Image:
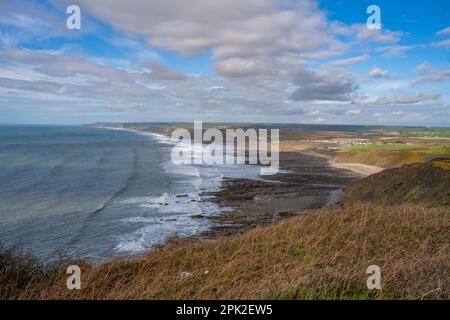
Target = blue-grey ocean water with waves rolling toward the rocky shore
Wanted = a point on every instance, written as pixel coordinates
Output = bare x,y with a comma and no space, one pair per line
97,193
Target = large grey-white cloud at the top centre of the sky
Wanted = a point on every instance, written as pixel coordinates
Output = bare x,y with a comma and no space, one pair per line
229,28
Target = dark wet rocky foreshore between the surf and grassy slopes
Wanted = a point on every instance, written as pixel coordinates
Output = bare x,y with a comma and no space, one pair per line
310,183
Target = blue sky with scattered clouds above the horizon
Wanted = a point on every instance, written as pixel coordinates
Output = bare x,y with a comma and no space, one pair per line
279,61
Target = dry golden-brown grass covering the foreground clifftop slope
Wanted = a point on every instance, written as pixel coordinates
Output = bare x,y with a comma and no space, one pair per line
323,255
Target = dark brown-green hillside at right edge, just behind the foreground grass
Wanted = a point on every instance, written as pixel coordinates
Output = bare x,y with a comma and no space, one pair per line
421,183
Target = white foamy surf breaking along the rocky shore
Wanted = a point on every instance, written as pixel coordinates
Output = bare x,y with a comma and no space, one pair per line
171,212
